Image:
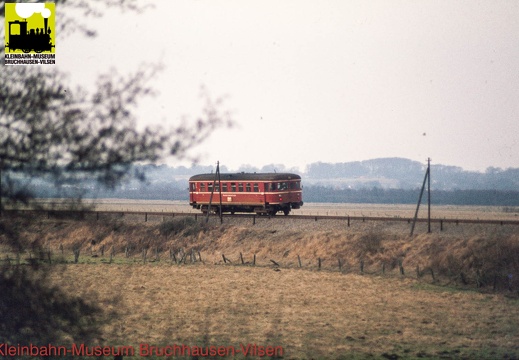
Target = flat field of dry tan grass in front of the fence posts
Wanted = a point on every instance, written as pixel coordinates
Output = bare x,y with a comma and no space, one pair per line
310,314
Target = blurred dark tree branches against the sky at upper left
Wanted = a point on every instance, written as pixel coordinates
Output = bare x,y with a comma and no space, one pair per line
49,130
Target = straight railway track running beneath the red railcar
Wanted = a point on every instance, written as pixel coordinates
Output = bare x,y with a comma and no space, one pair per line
150,214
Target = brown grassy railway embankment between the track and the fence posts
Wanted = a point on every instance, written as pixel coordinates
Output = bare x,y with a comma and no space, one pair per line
473,255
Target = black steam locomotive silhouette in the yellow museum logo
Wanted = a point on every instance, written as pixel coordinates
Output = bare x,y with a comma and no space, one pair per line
37,40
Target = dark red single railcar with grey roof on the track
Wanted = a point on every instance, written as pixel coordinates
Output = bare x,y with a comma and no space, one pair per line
262,193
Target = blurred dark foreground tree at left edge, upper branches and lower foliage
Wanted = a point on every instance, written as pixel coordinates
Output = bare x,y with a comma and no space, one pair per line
67,135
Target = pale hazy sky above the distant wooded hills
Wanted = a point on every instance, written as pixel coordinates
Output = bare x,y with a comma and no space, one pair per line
330,81
